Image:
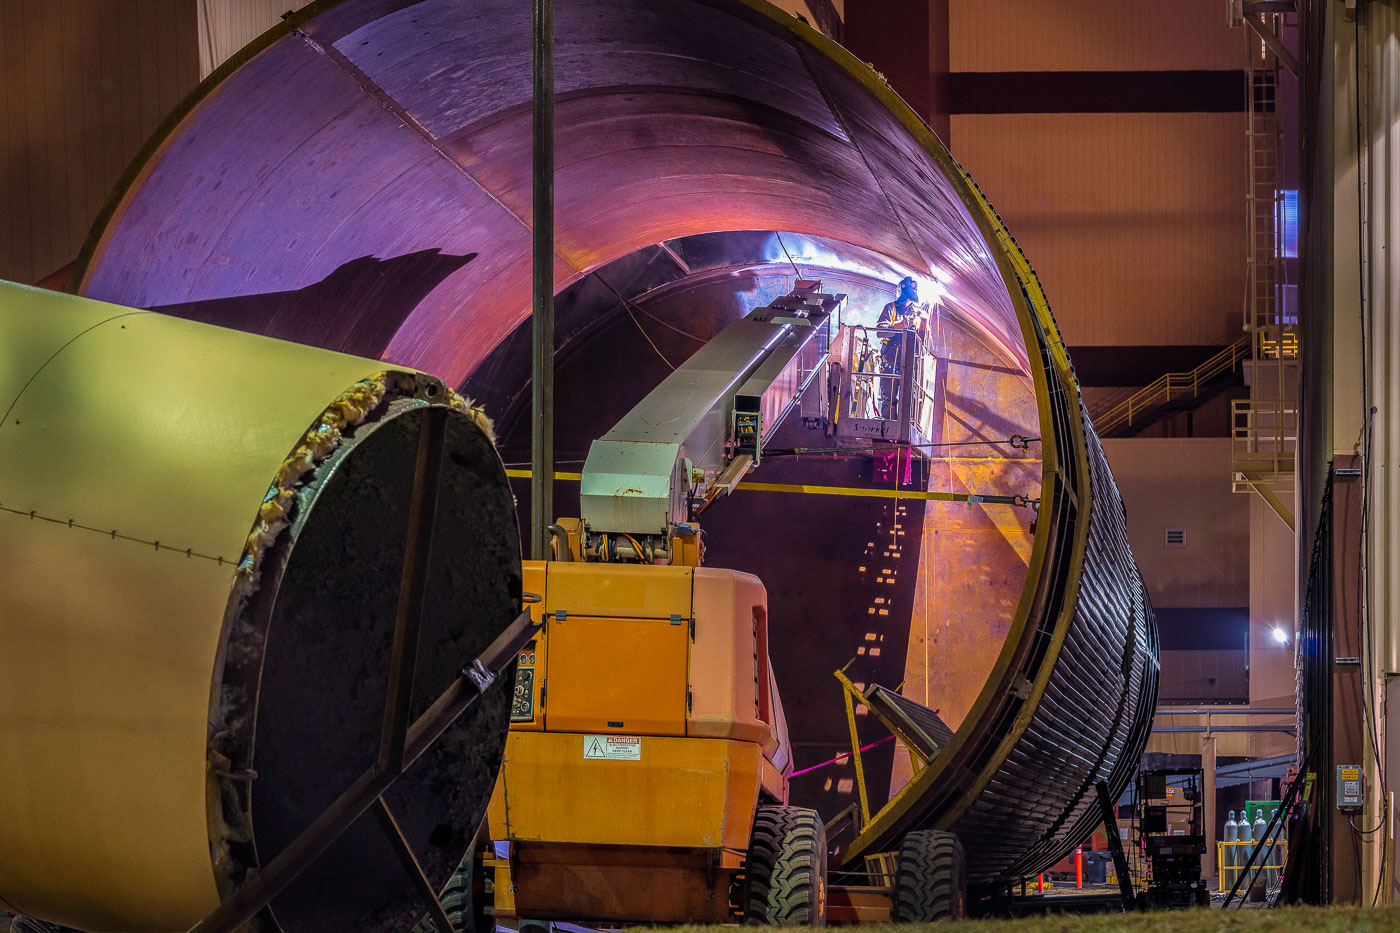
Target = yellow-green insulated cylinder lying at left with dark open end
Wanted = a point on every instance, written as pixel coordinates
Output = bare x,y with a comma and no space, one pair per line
204,534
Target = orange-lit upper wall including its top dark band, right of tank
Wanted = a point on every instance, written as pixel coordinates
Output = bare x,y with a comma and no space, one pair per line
1136,221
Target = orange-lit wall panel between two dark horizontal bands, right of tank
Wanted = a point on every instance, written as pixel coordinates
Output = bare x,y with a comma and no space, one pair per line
1136,222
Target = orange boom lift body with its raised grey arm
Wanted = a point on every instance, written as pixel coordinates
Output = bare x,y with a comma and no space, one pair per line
646,770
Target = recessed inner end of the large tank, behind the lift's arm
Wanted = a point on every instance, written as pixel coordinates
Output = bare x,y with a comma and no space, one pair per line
912,590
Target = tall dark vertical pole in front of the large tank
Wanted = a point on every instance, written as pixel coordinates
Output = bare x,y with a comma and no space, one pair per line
542,380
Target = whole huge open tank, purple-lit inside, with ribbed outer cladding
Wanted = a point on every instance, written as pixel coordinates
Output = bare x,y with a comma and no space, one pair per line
703,152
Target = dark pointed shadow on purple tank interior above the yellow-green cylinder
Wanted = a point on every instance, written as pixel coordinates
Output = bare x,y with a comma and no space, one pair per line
358,309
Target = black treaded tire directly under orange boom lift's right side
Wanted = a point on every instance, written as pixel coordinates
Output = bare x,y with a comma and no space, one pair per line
786,869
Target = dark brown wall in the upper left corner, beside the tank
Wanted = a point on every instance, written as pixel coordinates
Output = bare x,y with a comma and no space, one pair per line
83,83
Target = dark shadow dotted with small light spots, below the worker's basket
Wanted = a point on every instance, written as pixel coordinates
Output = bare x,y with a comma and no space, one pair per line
841,574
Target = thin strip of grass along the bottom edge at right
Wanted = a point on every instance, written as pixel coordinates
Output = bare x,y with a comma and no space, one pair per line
1340,920
